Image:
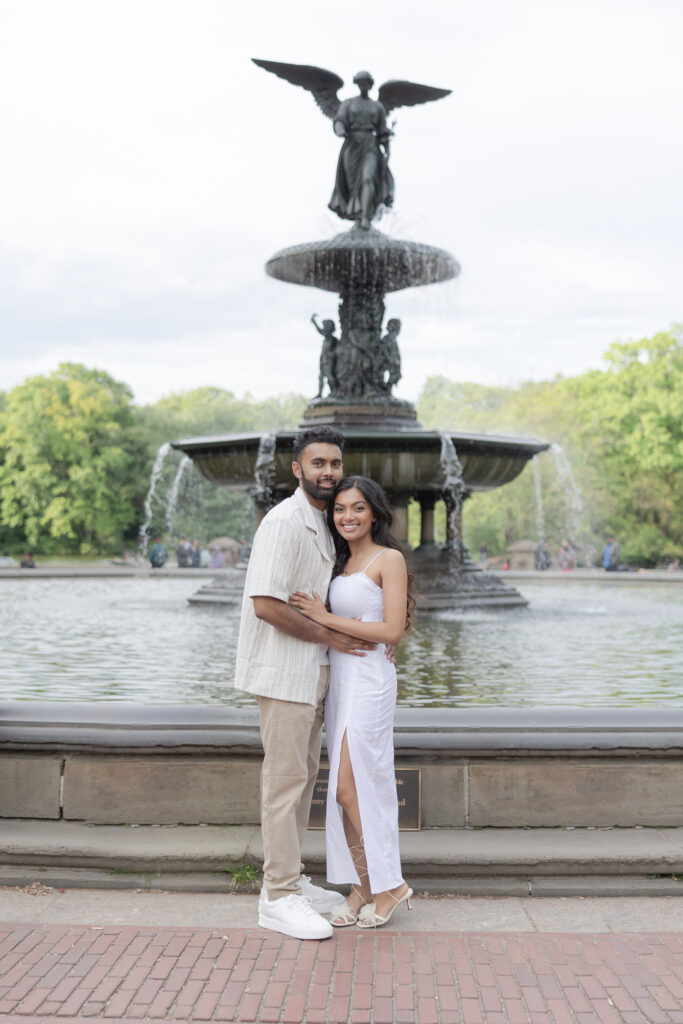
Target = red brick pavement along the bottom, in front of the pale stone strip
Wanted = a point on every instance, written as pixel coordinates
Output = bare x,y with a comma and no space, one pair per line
77,974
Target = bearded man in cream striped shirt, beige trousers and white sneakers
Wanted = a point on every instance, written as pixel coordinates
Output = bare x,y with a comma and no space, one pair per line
283,660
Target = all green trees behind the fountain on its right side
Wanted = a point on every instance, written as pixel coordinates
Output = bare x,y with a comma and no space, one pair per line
621,431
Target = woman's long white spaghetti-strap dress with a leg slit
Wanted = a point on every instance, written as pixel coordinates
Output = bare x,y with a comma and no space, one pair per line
361,702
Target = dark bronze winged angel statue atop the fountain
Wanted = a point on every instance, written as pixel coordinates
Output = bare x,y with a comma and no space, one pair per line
364,183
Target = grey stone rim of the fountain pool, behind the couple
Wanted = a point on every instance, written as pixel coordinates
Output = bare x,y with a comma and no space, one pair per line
33,726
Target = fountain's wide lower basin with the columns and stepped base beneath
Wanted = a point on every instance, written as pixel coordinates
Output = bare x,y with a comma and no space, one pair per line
408,465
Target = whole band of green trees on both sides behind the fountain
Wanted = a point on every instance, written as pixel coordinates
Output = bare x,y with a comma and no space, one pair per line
76,454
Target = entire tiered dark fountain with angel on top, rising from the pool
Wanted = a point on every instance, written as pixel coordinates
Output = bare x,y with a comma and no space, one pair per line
361,366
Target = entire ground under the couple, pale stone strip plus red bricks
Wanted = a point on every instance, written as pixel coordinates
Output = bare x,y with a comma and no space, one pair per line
84,955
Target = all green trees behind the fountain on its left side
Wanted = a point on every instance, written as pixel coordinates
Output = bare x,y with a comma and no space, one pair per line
76,457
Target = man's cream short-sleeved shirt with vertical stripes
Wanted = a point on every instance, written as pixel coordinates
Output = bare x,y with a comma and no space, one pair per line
292,550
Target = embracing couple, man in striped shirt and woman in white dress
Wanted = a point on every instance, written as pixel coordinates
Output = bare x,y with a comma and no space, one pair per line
326,601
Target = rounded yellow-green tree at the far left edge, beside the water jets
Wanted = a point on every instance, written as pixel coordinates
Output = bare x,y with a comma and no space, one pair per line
66,460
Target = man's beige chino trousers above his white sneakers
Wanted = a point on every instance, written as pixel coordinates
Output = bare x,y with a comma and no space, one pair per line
292,736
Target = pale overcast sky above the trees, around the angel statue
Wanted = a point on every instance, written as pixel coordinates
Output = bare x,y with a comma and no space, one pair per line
150,170
